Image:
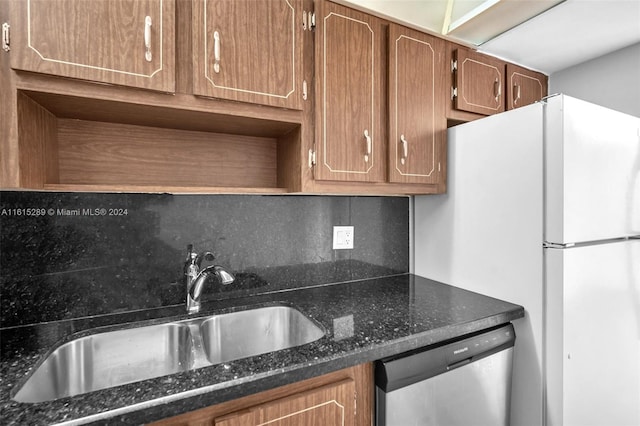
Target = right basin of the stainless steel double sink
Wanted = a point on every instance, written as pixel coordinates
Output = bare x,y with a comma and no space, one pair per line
257,331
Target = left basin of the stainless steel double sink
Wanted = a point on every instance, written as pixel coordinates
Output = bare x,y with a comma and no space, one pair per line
109,359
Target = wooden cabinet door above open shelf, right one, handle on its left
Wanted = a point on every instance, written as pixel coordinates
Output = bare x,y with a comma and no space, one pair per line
249,51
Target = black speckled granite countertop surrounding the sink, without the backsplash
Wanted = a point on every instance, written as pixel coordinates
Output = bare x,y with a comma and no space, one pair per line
380,317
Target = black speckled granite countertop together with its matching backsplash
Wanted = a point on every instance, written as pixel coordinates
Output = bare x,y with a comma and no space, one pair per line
74,264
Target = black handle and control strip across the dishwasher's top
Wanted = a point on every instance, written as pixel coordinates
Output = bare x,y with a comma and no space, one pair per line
406,369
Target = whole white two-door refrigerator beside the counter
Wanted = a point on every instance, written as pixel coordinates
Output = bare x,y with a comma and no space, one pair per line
543,210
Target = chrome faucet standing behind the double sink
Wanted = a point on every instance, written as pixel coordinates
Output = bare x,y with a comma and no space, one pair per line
196,277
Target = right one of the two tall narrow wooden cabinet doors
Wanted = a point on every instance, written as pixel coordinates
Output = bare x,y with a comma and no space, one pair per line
417,123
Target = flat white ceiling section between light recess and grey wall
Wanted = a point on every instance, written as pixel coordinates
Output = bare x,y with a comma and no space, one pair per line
570,33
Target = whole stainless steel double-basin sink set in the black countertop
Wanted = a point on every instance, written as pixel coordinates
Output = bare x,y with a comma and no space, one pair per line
114,358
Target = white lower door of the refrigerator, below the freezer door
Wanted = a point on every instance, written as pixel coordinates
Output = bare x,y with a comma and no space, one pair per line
593,335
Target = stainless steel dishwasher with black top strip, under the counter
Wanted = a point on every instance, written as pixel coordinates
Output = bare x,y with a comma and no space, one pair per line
466,382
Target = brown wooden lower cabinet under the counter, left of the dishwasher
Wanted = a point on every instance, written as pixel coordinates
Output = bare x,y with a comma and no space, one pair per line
342,398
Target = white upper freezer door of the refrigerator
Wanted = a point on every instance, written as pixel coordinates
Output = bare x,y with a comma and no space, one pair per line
592,172
